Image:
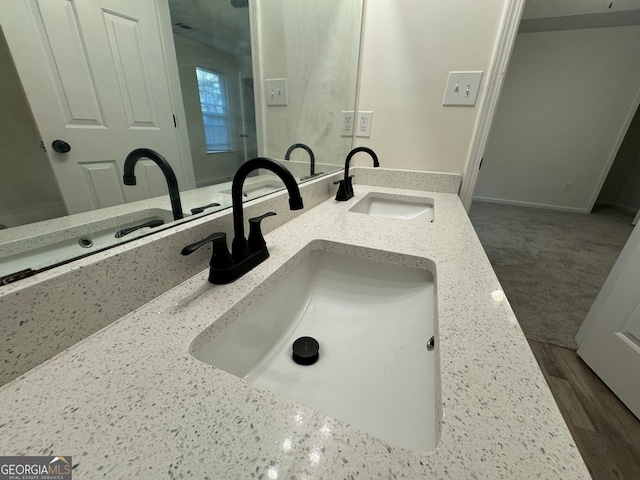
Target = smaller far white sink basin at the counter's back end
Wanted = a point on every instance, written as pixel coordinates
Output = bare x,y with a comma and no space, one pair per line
396,206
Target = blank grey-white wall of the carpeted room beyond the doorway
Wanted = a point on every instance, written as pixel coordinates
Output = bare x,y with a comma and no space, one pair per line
564,104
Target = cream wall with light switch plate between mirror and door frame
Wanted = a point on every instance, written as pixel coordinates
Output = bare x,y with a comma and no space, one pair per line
409,49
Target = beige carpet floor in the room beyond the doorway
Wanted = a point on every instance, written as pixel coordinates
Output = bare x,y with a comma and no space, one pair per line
550,264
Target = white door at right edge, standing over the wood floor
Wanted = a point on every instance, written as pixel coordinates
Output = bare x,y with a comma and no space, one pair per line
609,339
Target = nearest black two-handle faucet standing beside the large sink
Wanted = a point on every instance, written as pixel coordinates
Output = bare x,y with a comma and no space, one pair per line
246,254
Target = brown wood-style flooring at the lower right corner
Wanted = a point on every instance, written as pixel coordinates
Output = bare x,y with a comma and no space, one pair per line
605,431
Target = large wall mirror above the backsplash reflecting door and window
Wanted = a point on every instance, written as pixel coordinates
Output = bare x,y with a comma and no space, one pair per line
207,84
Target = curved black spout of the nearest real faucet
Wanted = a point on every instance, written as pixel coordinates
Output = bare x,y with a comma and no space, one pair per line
239,246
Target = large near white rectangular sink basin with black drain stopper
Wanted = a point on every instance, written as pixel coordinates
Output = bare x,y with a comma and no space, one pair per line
372,320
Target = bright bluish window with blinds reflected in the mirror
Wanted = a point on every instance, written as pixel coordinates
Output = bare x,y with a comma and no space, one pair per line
215,110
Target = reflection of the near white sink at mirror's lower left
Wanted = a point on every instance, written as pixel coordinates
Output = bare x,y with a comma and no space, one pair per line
56,247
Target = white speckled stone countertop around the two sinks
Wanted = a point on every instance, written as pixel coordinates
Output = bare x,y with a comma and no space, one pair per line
131,402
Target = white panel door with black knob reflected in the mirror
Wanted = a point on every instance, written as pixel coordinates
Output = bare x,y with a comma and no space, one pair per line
96,76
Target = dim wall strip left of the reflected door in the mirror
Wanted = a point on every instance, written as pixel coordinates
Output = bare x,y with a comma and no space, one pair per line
28,190
